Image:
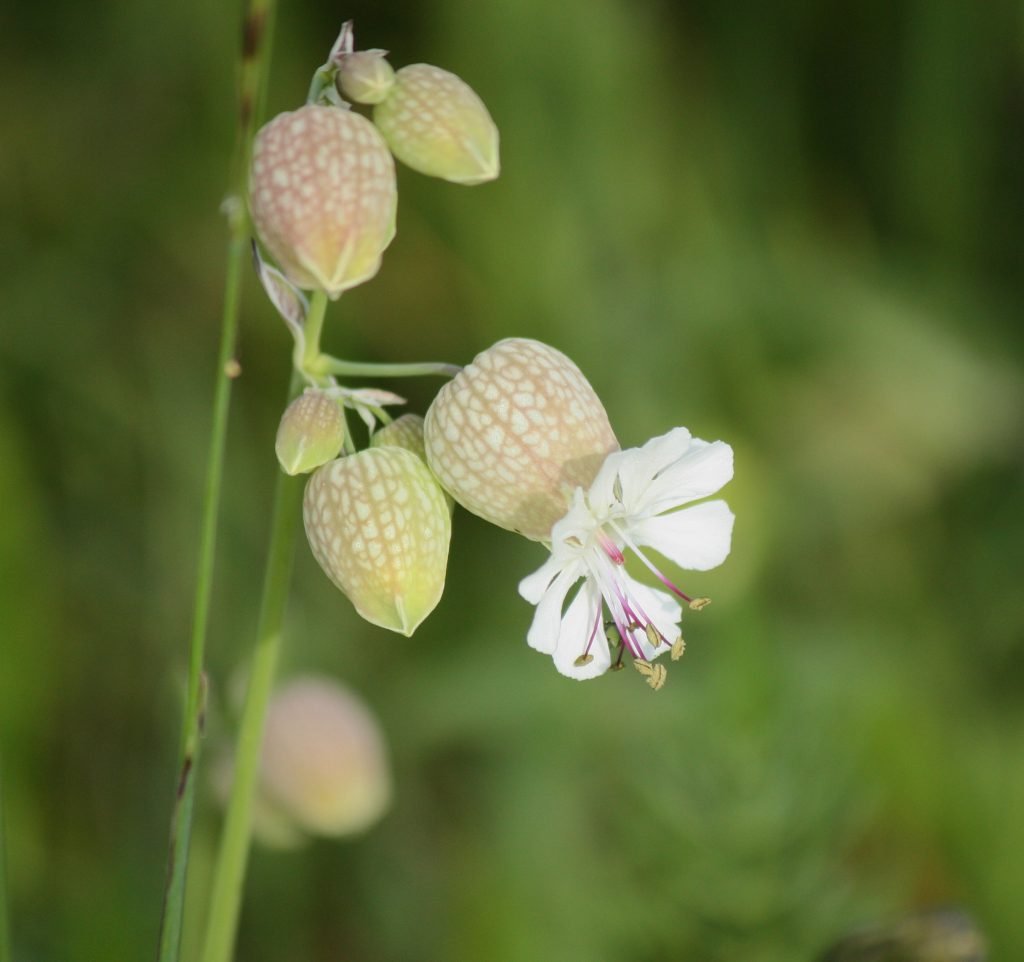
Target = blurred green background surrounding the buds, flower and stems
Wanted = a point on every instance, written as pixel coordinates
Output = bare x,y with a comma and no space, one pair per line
796,227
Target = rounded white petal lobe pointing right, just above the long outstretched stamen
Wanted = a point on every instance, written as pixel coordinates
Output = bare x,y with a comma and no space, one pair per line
698,538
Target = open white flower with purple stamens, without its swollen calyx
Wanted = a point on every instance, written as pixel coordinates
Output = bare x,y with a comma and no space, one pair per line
630,507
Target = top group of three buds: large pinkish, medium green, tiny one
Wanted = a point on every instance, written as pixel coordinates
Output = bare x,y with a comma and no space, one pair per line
323,193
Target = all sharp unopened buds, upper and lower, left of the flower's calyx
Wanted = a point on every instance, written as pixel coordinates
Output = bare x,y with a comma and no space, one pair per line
324,200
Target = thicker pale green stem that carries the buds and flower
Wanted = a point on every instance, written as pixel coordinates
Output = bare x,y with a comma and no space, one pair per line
233,856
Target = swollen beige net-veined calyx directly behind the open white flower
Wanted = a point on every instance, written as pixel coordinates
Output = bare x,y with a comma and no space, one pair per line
516,434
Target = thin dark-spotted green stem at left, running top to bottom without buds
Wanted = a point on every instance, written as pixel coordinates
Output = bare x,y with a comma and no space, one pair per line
259,25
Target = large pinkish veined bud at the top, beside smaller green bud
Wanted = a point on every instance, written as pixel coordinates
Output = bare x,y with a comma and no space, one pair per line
323,196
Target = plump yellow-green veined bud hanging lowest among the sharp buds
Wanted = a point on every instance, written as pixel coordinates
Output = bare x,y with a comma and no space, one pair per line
379,527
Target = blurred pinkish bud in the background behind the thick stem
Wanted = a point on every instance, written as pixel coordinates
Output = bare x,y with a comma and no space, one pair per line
324,767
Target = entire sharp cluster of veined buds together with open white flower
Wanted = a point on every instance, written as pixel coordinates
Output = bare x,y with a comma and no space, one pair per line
519,437
